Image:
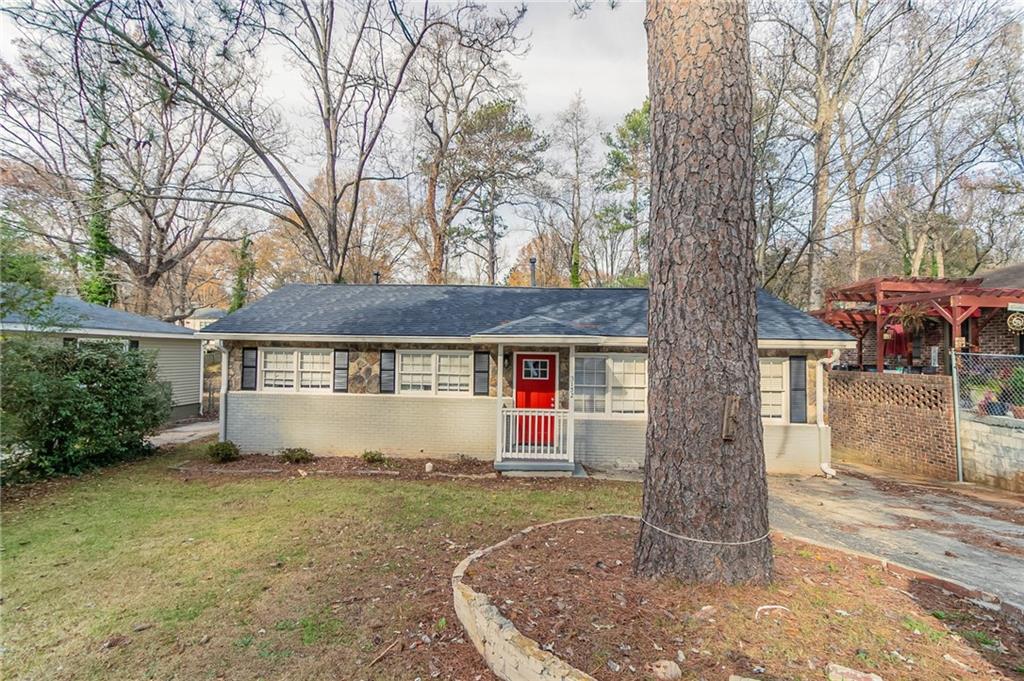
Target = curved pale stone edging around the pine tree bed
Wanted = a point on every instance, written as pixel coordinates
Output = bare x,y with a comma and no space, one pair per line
514,657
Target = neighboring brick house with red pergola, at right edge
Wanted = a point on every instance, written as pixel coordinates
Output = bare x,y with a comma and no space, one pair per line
917,320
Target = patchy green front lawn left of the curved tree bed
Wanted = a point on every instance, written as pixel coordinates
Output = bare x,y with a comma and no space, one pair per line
139,573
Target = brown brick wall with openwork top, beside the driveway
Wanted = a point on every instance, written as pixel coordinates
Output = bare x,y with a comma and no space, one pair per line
900,422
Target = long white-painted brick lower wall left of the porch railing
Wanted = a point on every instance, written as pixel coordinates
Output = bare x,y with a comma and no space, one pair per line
351,424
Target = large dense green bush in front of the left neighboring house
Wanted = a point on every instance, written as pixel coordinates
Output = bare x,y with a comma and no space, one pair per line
68,409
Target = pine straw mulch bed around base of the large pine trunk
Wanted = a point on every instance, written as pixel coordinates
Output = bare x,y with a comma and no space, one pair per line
571,588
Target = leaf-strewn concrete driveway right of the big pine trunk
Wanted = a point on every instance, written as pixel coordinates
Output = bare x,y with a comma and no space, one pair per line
964,533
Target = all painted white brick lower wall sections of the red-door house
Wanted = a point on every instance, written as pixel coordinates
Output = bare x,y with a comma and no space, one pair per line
411,427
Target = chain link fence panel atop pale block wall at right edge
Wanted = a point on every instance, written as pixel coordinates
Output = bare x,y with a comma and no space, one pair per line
990,385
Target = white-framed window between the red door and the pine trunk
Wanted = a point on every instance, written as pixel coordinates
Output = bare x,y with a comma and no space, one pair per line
611,385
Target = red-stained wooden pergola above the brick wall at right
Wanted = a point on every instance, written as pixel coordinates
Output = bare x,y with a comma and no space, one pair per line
955,301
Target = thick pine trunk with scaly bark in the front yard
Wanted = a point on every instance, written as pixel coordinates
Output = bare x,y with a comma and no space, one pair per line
703,303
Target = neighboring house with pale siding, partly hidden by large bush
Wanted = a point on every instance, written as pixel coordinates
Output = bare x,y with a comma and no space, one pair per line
179,351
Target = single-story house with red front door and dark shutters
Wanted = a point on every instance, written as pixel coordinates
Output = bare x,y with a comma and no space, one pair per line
533,378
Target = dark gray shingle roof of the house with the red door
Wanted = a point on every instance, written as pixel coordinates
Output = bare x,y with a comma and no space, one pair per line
466,311
